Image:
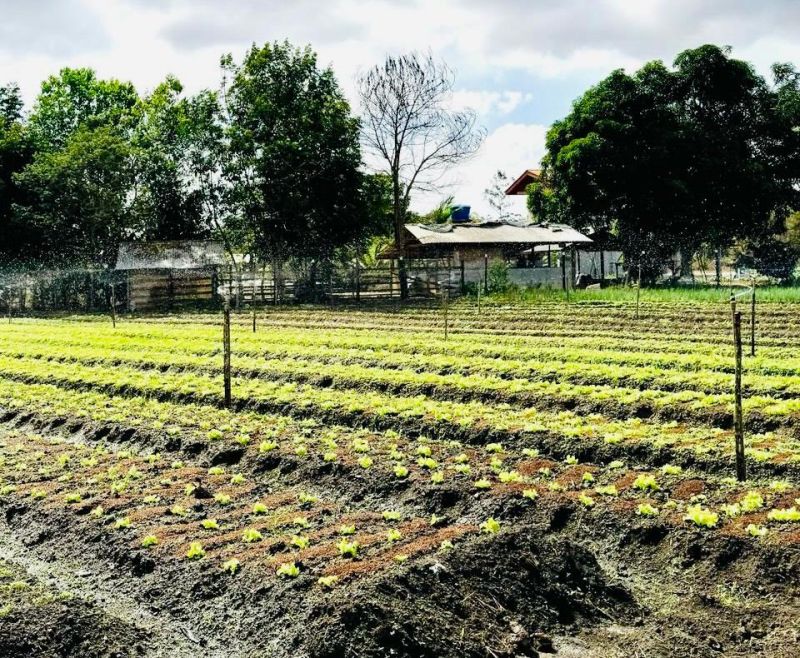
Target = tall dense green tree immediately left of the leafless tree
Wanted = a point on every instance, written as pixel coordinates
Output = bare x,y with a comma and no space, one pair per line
294,154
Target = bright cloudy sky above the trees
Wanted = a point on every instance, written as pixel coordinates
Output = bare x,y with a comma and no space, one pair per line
518,63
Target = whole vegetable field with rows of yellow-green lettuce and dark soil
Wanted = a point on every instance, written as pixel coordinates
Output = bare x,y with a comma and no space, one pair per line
549,477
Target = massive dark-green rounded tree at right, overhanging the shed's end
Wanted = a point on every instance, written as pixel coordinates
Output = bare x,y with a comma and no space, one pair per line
672,159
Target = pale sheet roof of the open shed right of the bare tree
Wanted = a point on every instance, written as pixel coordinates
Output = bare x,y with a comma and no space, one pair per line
495,233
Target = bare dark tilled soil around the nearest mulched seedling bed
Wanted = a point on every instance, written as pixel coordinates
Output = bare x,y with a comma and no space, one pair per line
553,582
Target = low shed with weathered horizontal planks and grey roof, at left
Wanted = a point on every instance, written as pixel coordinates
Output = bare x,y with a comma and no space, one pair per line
161,274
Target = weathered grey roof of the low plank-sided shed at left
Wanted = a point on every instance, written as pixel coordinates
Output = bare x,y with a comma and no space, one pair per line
175,255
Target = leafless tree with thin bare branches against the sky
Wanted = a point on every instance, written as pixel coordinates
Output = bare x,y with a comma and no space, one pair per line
407,124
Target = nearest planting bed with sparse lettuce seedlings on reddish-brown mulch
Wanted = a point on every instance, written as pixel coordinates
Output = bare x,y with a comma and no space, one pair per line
180,511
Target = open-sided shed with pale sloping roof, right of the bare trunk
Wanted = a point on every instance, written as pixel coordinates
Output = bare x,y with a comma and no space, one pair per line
464,251
